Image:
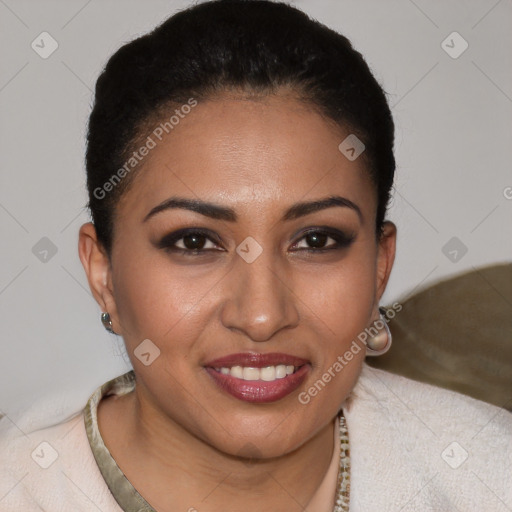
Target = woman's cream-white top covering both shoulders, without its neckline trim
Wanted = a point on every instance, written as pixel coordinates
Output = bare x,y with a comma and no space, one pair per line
413,447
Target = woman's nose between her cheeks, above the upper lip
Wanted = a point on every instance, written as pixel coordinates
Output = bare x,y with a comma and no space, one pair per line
259,299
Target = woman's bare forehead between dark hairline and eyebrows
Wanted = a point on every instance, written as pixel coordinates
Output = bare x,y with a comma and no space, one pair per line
245,153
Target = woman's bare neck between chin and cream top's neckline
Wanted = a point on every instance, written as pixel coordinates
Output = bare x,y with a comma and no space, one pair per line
174,469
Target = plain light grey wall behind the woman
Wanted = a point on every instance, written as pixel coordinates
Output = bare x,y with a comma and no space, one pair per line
453,150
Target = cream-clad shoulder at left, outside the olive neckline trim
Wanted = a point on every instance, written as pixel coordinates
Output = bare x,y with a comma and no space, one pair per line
50,468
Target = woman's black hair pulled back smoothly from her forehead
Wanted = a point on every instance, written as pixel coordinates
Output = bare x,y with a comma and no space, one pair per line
253,45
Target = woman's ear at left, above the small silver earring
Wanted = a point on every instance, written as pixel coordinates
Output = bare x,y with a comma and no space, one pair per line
97,266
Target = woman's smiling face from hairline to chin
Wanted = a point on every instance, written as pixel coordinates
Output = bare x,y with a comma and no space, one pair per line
252,281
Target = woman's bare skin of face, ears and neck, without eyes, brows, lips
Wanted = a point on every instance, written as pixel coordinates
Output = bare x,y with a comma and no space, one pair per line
179,439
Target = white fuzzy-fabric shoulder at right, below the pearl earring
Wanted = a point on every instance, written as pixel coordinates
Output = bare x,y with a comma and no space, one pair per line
427,448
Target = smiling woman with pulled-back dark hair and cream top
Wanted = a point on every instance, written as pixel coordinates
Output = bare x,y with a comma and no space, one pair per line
239,167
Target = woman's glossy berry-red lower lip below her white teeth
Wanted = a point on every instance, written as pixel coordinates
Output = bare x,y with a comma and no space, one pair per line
259,391
